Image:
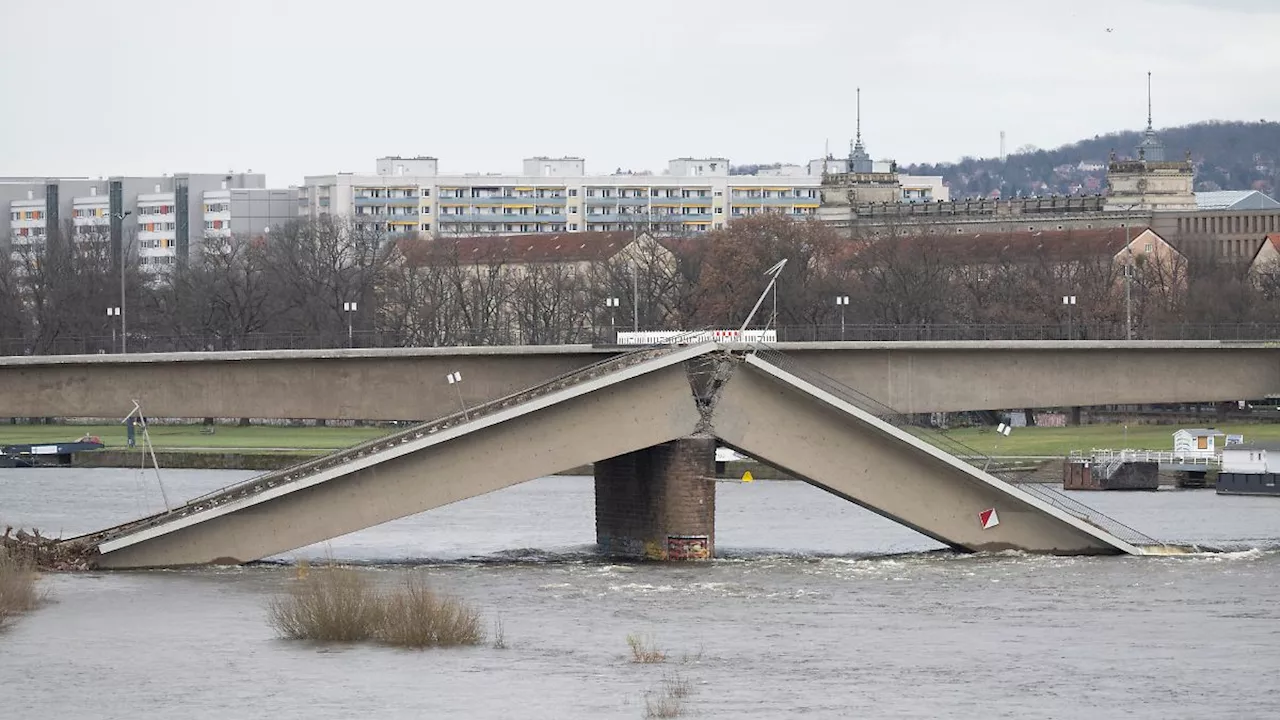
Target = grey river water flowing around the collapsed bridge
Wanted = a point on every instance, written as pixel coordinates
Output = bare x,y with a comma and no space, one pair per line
819,609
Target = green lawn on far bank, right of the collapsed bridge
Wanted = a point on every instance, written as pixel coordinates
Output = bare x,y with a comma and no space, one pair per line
1062,441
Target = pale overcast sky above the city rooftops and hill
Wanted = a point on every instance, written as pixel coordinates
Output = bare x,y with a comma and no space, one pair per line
296,88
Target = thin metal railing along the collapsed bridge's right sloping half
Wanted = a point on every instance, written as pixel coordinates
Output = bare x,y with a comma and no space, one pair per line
958,449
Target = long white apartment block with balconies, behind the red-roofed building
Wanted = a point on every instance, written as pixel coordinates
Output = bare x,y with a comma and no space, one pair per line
556,195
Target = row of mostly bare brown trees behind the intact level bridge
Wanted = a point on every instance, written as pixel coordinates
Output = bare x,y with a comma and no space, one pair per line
298,289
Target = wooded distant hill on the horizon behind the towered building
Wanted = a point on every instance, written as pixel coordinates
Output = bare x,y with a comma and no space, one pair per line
1227,157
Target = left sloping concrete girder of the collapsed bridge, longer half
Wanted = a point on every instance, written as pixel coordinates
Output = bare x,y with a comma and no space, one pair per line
587,423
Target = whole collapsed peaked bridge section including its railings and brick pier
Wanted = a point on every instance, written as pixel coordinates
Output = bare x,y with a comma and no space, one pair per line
650,421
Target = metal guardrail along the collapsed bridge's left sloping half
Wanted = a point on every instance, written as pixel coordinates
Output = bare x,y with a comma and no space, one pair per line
308,468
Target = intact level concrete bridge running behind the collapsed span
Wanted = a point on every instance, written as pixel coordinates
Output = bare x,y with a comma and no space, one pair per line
410,384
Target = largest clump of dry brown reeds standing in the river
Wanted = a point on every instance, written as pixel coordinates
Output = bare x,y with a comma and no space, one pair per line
335,604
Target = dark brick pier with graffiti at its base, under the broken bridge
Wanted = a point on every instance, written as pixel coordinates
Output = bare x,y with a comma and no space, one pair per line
659,503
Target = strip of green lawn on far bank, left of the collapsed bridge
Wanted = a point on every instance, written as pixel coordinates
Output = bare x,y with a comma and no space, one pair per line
255,438
